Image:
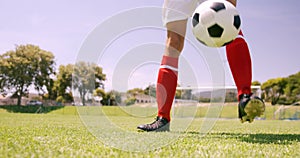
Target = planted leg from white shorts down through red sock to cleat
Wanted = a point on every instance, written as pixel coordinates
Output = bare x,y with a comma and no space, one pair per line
175,15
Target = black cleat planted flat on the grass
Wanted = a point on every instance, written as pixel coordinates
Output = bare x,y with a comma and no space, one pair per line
159,125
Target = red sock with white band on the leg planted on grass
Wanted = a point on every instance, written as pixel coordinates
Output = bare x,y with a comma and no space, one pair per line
166,85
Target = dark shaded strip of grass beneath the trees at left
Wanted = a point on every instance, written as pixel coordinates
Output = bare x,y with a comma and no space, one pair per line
30,109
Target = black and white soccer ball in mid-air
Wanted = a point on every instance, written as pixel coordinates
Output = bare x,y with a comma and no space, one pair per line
216,23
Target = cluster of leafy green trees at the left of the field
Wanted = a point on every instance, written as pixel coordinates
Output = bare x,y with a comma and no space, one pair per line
30,66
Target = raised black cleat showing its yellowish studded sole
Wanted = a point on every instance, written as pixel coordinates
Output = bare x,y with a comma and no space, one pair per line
250,107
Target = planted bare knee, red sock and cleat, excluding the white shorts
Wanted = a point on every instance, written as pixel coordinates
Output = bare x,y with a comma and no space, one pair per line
167,76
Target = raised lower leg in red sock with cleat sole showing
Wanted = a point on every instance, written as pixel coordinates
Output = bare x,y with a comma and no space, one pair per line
239,60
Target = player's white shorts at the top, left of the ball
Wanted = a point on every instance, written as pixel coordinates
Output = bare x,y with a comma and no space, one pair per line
174,10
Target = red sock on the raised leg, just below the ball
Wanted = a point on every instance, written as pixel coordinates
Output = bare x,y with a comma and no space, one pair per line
239,60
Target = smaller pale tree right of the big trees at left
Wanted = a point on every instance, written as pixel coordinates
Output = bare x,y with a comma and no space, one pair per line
86,78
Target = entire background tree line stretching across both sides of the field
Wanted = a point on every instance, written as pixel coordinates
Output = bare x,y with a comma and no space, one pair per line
30,66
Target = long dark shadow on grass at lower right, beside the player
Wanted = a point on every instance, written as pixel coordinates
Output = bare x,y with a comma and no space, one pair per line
260,138
